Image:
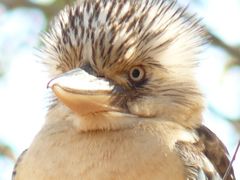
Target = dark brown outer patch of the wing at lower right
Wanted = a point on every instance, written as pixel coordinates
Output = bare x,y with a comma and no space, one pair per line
215,151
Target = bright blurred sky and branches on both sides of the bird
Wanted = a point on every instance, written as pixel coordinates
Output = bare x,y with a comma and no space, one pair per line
23,83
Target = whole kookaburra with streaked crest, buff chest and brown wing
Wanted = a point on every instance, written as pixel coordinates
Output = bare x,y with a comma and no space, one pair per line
127,104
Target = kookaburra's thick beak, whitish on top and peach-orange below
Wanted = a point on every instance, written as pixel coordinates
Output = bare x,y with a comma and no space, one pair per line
83,93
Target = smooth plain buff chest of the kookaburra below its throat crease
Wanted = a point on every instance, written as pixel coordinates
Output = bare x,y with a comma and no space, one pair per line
128,154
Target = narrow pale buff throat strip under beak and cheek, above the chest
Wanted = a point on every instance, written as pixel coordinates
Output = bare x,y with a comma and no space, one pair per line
113,120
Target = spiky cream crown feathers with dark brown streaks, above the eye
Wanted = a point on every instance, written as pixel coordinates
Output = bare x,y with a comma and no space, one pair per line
104,33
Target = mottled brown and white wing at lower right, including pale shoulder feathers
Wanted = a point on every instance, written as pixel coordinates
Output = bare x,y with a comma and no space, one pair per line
206,159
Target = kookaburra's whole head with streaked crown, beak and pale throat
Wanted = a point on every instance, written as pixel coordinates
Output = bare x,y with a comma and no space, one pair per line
116,62
